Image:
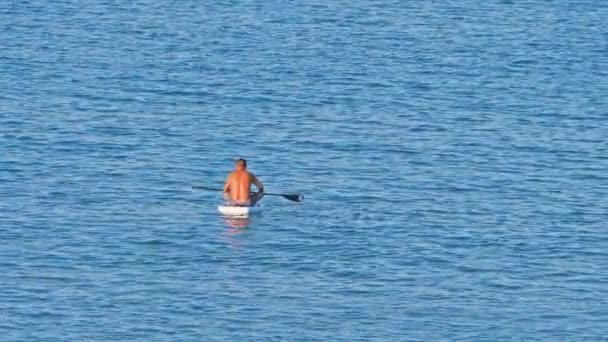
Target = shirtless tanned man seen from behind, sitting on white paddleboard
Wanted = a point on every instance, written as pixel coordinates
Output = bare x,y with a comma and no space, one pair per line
237,190
